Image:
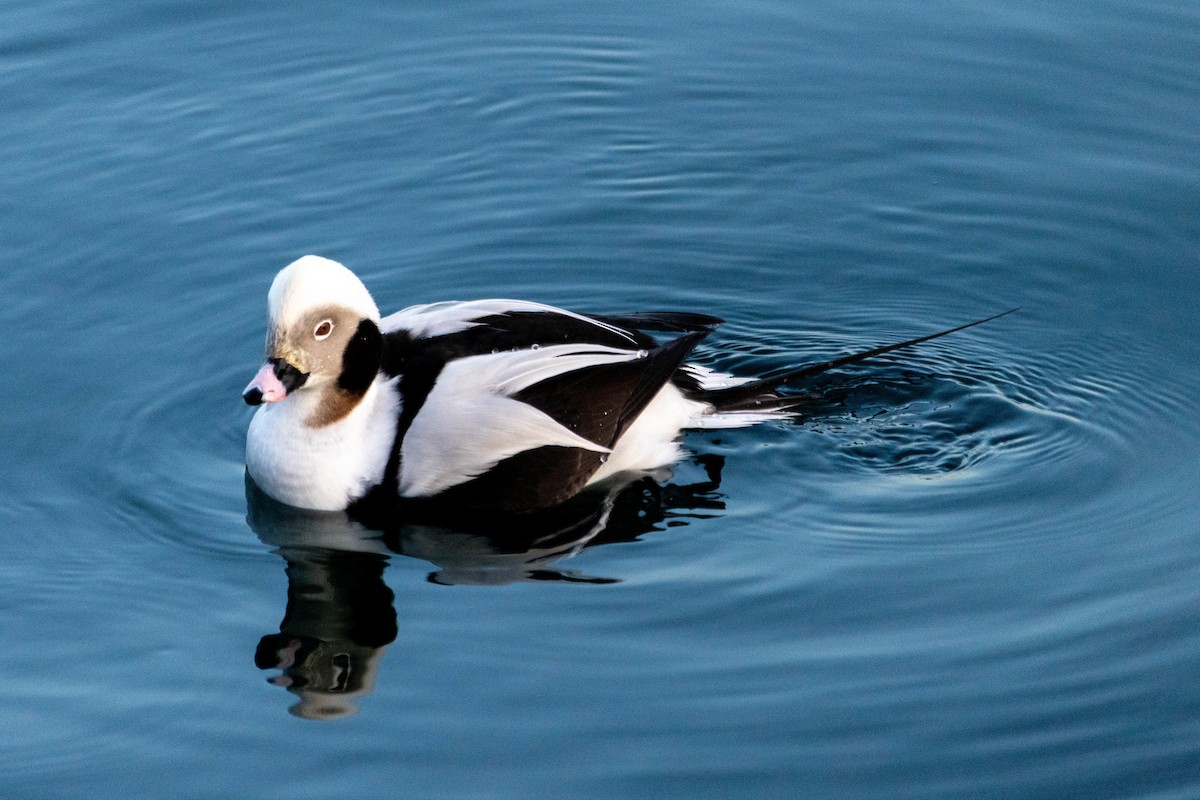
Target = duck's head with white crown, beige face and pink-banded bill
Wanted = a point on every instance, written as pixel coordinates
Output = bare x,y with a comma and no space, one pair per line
322,333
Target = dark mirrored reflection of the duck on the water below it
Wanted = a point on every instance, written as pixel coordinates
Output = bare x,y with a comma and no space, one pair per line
341,617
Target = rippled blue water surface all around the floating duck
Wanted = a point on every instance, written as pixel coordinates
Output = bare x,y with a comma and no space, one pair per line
975,573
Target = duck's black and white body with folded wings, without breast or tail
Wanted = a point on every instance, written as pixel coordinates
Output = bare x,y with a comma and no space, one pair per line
515,406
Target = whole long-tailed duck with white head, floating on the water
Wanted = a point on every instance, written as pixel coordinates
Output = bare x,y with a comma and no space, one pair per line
481,406
